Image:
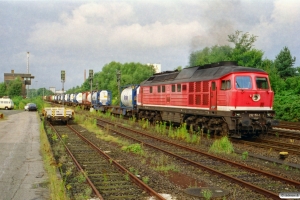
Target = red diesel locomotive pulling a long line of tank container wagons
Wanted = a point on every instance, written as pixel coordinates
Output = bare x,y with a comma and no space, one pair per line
221,98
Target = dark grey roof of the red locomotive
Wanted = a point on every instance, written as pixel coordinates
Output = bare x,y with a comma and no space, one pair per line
198,73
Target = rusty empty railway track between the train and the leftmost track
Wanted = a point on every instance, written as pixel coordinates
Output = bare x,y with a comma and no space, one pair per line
259,181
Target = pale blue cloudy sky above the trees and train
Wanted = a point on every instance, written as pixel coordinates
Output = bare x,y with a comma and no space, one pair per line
81,35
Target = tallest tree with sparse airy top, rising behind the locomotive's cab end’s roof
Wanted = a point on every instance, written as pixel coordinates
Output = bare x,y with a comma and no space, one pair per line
243,51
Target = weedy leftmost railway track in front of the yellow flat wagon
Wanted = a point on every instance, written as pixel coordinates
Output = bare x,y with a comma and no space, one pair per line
108,179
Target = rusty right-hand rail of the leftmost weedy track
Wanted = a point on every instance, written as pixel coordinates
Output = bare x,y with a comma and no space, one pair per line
137,181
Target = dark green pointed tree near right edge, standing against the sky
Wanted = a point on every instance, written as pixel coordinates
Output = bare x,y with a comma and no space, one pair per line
284,63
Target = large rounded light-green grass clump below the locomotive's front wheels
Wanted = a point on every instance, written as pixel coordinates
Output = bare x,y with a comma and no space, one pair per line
222,145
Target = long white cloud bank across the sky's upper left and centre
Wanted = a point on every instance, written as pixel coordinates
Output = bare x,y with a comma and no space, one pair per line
113,26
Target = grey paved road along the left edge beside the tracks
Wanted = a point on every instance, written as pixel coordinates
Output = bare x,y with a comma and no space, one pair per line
21,167
